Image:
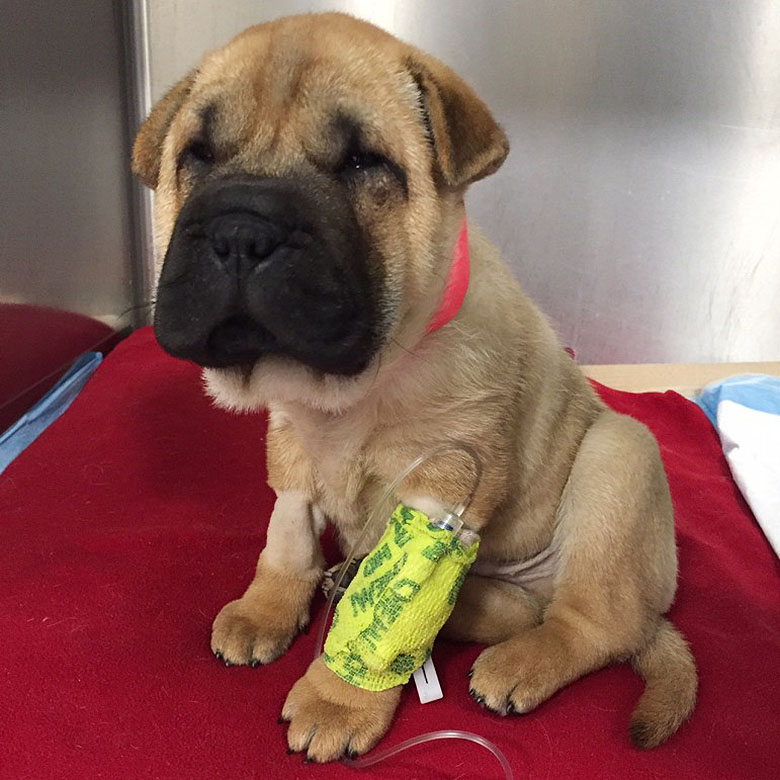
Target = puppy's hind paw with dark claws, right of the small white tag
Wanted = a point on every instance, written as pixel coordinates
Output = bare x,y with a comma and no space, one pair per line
515,676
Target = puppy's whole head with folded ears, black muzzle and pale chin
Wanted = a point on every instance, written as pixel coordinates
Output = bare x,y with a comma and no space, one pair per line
309,180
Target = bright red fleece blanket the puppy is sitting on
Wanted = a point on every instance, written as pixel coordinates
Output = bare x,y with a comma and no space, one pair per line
141,511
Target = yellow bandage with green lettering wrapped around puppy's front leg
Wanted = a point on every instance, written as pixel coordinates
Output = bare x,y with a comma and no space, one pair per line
404,591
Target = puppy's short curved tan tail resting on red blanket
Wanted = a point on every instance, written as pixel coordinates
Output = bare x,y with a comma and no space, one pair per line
671,681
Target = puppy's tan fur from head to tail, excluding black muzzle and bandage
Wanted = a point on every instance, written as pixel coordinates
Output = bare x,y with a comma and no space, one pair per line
560,470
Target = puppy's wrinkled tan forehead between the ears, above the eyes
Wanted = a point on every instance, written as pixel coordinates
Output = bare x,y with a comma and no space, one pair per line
280,93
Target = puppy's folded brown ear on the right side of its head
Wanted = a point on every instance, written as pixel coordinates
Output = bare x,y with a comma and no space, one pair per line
467,141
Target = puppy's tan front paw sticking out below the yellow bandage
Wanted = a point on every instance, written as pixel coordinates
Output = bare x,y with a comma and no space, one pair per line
330,718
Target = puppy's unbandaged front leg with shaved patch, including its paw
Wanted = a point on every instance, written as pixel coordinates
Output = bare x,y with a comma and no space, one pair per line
259,627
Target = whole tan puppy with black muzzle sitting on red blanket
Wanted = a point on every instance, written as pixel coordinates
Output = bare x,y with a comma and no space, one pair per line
310,179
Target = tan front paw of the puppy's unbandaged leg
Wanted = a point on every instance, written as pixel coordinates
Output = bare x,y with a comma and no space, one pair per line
260,626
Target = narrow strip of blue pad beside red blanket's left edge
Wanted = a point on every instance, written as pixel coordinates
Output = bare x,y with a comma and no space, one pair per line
31,424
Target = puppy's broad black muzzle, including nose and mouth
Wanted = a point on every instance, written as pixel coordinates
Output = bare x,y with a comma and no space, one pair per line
259,267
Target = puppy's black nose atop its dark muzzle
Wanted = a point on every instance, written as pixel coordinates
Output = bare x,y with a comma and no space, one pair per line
242,240
